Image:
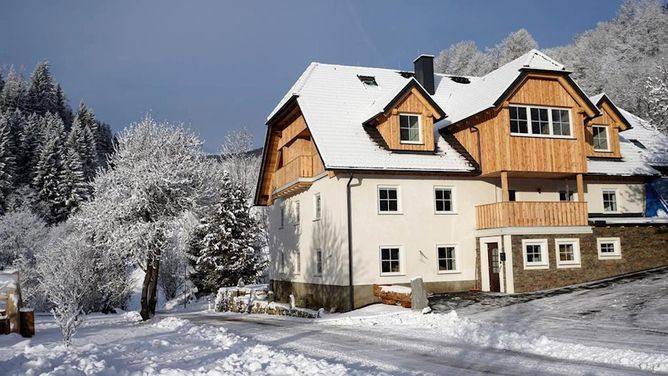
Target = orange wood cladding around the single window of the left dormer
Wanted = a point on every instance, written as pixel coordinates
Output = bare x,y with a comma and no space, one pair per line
412,103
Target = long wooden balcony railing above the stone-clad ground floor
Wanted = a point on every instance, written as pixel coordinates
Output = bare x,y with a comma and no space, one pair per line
531,214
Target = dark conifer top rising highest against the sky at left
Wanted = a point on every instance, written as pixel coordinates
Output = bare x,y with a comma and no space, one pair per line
42,95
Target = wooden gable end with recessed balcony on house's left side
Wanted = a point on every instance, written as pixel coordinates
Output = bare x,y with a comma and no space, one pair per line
290,158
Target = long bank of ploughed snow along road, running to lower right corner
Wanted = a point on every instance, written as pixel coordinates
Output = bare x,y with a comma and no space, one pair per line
492,335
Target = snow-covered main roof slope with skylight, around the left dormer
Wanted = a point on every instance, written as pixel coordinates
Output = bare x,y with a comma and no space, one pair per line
335,103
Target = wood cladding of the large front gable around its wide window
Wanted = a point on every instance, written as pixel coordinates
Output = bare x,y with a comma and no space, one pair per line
488,140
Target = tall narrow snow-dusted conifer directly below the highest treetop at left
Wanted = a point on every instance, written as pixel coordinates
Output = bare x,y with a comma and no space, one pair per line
48,172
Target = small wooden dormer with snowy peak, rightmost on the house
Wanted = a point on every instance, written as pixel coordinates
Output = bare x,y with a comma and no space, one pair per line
602,132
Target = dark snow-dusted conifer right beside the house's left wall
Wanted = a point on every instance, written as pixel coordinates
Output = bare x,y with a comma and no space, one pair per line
227,244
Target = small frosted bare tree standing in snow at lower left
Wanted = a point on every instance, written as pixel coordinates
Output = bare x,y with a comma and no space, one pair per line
67,275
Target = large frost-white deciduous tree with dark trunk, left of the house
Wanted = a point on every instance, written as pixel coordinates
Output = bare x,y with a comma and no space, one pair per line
160,172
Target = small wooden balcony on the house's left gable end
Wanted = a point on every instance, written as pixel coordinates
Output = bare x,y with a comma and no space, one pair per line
295,176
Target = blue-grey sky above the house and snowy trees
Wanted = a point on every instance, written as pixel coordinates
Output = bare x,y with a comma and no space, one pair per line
219,66
